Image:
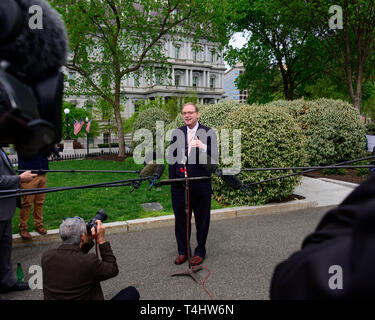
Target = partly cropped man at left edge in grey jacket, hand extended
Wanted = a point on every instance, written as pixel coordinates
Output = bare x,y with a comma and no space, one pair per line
9,180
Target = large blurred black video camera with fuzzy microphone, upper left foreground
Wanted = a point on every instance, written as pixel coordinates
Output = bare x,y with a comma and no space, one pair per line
31,81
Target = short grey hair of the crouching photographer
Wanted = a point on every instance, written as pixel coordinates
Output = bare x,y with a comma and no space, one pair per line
71,230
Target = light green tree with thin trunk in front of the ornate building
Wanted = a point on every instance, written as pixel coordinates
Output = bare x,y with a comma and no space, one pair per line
111,40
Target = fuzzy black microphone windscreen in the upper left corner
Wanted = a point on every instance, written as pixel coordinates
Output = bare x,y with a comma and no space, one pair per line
37,52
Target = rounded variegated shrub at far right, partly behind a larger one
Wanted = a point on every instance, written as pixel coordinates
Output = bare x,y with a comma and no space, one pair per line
333,129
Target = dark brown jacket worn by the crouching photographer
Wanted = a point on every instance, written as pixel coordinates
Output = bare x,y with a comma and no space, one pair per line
71,274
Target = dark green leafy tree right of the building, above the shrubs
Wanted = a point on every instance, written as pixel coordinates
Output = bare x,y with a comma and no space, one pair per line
280,58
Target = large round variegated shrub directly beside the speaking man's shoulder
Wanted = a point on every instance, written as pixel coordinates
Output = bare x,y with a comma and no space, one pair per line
270,137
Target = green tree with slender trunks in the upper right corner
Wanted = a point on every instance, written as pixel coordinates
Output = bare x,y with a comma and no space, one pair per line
346,34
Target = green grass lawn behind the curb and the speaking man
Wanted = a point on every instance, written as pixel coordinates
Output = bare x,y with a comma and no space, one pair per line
118,202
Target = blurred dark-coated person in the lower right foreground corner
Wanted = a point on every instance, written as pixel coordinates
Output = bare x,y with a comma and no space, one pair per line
336,261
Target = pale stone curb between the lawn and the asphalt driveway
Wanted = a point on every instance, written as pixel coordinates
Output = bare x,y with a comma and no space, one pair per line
164,221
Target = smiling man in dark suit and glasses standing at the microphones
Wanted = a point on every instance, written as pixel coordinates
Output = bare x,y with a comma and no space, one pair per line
194,142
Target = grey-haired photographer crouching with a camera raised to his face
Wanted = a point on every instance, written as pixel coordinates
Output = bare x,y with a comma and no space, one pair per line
71,273
